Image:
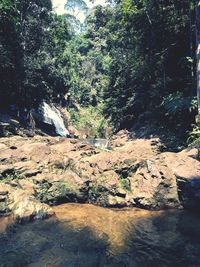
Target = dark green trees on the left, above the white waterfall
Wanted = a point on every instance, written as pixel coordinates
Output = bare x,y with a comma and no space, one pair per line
31,44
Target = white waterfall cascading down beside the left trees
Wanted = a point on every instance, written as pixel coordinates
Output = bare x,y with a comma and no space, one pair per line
53,116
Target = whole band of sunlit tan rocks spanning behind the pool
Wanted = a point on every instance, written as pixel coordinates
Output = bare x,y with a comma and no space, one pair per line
37,173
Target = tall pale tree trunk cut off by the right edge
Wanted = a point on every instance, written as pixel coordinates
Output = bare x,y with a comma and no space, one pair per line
198,56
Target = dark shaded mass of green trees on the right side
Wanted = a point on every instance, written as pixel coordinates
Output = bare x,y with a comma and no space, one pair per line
152,71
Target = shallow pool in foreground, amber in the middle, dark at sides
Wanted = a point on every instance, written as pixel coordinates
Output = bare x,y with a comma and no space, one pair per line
89,236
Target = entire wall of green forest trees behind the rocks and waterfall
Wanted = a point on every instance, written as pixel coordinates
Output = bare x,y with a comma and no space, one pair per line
135,59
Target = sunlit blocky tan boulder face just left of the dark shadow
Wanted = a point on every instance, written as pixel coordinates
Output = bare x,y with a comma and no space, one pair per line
154,186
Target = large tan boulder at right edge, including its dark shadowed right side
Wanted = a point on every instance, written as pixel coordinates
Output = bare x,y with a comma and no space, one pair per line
169,180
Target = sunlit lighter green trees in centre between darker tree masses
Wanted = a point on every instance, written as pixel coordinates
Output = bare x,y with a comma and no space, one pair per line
89,61
